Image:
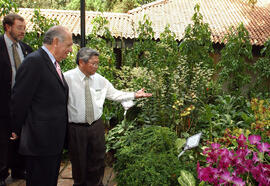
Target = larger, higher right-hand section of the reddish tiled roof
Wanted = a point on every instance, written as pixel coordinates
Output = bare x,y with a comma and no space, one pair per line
219,14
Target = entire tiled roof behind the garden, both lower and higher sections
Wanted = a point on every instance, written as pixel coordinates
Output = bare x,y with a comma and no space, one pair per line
219,14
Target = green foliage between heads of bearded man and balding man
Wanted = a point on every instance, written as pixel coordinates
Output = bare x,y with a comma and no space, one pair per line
40,25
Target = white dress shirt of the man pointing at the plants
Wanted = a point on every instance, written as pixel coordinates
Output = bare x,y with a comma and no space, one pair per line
100,89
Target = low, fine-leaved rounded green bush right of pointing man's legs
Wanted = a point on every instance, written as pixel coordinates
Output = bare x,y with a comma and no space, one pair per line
152,153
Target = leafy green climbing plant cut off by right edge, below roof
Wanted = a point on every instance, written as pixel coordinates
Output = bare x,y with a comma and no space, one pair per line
262,70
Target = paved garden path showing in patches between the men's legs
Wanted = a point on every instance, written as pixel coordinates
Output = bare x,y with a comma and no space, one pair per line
65,178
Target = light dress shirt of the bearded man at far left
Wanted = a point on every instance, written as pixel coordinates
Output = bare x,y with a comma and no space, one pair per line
9,43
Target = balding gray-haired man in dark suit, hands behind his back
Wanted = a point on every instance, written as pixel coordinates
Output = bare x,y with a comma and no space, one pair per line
39,108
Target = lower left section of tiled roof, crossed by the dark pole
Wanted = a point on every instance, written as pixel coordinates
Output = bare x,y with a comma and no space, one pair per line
118,22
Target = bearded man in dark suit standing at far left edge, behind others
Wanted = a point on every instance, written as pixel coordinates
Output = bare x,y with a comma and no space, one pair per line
14,26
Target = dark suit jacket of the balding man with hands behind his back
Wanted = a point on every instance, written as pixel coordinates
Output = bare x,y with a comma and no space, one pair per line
39,106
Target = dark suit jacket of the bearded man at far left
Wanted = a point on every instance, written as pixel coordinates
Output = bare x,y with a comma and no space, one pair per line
6,76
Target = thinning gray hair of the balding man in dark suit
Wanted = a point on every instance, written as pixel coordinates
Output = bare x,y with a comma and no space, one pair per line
55,31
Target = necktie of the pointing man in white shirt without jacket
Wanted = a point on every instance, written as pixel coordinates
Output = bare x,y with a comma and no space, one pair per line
89,111
